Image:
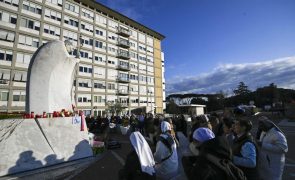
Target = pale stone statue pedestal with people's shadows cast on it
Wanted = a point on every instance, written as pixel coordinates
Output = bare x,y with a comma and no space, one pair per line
28,144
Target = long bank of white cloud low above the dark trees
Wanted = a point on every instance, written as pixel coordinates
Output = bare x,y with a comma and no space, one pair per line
226,77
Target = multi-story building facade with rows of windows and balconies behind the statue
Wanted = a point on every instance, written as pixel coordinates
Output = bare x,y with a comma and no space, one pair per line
121,59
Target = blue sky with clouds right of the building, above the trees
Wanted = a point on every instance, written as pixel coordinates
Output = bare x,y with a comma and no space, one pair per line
205,37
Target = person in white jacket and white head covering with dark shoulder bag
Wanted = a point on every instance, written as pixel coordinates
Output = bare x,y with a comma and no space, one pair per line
166,154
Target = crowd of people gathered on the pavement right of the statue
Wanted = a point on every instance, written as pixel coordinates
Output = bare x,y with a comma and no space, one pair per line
222,147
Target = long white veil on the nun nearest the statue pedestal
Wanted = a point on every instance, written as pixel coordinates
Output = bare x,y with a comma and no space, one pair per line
143,152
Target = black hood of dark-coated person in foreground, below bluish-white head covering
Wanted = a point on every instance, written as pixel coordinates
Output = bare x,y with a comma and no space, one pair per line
217,146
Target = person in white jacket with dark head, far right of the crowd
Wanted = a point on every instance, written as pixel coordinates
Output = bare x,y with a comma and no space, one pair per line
273,148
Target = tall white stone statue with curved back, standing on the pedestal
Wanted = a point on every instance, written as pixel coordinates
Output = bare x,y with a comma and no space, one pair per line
50,78
